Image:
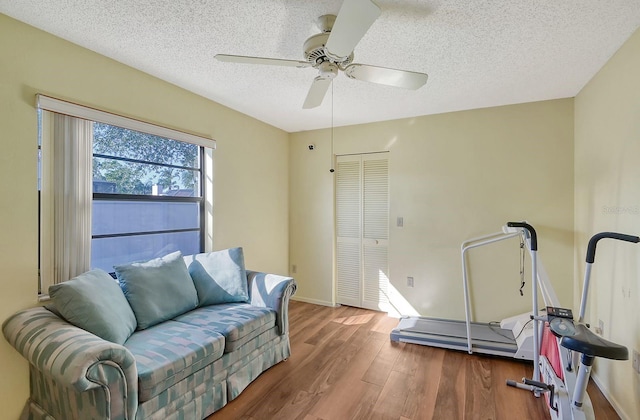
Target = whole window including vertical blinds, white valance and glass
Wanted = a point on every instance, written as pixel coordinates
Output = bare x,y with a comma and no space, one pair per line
142,191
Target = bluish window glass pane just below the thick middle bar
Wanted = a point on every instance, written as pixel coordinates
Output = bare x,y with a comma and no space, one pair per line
113,216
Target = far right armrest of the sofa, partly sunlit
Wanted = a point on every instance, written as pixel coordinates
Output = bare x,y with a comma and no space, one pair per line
272,291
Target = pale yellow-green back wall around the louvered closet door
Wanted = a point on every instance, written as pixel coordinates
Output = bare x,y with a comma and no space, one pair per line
452,177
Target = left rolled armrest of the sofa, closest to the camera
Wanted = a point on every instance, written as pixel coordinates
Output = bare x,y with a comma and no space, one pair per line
71,356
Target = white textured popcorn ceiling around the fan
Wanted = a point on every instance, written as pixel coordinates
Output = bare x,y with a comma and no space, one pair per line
477,53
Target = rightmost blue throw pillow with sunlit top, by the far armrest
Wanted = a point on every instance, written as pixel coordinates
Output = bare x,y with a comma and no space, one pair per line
219,277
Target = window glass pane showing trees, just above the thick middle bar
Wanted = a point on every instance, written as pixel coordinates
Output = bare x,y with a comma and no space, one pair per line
122,177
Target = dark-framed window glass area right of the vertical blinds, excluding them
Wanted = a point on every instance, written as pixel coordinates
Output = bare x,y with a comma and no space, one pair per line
147,199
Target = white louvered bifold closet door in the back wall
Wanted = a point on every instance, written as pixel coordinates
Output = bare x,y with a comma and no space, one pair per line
362,214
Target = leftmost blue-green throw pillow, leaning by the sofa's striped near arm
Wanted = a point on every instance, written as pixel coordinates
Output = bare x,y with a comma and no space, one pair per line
94,302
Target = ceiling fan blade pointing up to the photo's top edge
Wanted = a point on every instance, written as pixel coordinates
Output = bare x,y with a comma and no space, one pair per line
354,19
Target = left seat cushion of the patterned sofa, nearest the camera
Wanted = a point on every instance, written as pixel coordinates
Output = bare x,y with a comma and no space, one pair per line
169,352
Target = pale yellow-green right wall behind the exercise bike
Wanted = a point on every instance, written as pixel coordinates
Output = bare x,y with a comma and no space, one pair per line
607,198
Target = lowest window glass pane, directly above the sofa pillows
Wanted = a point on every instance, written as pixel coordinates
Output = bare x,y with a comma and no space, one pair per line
107,252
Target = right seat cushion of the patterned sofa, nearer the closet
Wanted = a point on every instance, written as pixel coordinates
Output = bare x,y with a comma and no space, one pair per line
238,322
